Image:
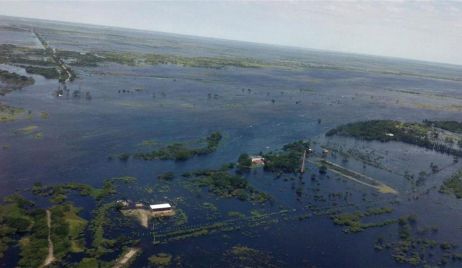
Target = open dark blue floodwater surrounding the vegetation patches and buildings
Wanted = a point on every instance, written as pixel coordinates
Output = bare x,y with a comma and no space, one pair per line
172,104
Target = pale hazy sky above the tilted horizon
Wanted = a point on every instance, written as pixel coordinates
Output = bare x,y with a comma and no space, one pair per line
422,30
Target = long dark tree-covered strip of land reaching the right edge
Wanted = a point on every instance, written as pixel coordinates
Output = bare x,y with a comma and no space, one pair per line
419,134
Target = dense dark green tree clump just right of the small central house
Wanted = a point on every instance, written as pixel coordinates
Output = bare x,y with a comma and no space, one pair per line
288,160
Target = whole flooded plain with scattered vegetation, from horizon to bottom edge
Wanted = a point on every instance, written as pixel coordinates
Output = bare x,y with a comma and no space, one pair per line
139,92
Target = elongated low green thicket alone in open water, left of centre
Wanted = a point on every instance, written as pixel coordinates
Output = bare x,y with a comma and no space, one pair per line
180,151
